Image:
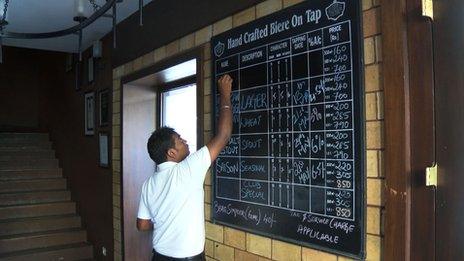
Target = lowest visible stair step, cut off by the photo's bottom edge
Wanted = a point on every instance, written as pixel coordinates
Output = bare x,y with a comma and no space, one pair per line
80,251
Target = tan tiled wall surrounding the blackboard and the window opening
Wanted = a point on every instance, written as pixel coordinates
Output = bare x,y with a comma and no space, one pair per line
223,243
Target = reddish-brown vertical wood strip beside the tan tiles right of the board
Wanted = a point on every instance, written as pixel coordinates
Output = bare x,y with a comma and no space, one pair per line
397,190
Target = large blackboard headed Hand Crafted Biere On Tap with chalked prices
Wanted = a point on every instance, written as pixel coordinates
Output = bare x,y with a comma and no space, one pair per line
294,167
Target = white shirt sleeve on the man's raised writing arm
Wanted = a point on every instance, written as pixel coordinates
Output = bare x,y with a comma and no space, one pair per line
196,165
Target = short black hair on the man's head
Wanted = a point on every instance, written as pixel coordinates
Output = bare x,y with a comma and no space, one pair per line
160,141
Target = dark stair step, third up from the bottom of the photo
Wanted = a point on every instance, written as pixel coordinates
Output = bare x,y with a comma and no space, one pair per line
38,224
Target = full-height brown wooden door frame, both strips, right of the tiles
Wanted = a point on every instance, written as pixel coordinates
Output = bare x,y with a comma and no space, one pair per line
409,124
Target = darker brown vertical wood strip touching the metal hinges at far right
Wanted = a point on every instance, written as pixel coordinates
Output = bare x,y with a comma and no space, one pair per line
420,44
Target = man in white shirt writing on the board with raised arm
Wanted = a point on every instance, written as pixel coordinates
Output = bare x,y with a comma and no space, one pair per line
172,199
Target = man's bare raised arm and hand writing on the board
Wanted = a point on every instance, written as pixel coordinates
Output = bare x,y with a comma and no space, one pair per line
224,127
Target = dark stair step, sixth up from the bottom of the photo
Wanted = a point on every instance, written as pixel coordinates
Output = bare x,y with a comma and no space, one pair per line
32,185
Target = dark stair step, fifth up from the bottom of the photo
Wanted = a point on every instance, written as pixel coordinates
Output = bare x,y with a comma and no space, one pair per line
9,199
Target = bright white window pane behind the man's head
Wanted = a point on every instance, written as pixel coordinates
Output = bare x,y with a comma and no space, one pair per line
179,111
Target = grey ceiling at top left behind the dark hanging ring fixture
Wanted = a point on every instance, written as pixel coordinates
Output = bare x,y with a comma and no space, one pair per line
37,16
